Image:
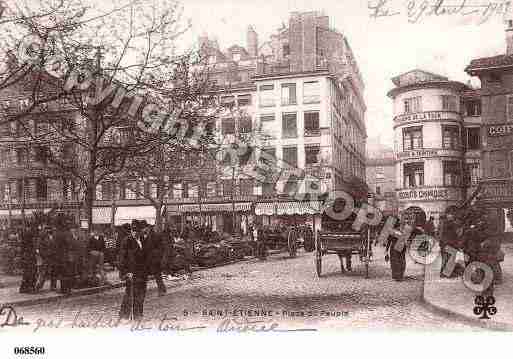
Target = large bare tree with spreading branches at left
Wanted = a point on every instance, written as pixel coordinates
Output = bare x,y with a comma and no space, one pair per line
106,77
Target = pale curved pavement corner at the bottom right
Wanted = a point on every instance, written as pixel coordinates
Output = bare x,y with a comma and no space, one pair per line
450,296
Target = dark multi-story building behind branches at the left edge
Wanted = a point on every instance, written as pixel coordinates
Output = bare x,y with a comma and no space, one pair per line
28,182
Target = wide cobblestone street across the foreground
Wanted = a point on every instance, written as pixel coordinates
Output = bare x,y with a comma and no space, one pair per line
286,287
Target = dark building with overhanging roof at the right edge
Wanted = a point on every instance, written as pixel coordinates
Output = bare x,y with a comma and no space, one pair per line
496,75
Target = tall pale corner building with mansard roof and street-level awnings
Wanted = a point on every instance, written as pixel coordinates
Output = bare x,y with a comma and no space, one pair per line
300,97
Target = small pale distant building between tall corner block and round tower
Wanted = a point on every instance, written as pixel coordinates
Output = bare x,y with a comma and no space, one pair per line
380,173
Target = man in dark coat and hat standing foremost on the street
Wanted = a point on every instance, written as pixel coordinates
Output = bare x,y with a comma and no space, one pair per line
134,267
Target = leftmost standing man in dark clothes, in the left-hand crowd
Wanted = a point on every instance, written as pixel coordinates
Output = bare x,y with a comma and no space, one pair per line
28,247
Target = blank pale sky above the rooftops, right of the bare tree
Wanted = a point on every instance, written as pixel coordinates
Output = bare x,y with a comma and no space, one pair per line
384,46
